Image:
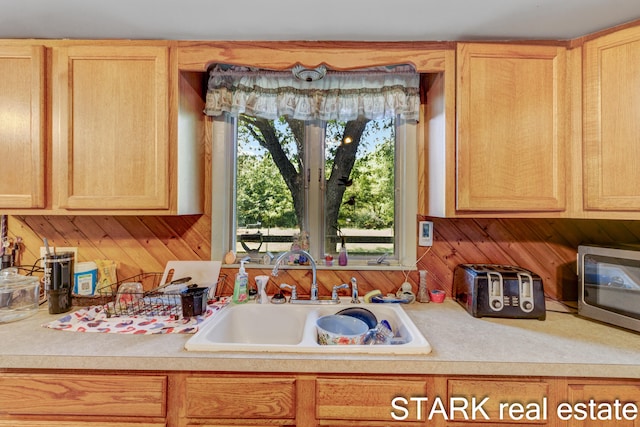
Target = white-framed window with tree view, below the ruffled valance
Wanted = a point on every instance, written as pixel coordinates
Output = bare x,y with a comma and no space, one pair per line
282,181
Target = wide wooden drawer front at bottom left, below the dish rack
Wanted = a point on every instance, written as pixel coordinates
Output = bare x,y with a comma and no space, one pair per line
69,400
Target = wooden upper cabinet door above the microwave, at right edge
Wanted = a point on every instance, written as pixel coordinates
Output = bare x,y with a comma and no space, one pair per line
611,126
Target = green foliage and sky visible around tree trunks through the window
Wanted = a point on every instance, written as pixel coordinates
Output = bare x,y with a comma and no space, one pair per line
264,197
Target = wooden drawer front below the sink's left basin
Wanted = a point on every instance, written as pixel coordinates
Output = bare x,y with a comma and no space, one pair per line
240,398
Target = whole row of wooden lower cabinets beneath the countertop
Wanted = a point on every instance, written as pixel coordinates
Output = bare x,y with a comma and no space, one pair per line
208,399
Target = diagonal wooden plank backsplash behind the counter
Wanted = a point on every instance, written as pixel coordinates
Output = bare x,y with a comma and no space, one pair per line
144,244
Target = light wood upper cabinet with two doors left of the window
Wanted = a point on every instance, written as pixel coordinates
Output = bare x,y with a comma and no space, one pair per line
126,130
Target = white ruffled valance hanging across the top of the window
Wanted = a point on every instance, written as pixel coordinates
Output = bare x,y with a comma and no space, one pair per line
379,93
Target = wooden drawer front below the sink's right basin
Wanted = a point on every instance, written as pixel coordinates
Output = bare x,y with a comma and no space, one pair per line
364,399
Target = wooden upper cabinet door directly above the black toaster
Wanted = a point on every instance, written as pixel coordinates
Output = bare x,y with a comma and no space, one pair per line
511,127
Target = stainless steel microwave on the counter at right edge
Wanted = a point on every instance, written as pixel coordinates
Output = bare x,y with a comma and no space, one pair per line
609,284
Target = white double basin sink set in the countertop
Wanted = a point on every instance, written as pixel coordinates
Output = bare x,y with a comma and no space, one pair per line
291,328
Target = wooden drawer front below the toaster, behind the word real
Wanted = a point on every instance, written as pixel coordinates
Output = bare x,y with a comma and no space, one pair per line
513,393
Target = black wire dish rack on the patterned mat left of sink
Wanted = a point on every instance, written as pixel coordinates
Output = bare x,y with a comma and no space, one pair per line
120,300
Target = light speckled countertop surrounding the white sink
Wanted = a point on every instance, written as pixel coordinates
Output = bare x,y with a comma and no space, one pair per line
562,345
